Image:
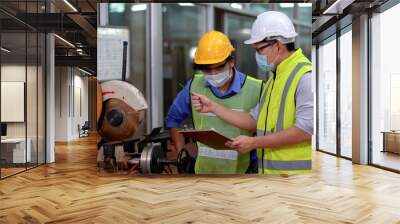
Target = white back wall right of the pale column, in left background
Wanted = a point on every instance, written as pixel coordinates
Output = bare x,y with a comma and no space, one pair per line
70,83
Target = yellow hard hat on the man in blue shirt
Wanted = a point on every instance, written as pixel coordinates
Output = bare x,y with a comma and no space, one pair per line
214,47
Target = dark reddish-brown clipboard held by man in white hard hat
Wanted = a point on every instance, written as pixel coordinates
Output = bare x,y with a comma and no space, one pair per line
210,137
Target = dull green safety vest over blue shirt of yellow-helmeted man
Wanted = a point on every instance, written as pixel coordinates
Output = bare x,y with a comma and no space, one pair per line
211,161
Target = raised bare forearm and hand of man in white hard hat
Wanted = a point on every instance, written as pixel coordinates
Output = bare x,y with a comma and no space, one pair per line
237,118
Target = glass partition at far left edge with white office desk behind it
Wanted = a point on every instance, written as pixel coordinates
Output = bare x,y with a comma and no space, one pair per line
14,153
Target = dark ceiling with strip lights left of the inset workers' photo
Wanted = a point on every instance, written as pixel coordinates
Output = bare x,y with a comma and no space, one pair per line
74,21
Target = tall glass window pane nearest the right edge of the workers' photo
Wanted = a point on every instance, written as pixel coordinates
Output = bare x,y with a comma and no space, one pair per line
327,96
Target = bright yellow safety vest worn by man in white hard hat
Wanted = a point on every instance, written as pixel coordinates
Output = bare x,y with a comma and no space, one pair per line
277,111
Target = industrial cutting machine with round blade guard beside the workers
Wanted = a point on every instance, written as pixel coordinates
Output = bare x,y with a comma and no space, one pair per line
121,110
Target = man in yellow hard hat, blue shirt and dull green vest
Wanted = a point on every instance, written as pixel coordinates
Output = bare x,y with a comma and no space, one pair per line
223,83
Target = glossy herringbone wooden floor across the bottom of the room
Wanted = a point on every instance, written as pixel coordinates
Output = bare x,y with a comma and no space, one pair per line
70,191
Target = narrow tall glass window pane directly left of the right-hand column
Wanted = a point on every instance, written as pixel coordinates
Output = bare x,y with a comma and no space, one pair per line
346,94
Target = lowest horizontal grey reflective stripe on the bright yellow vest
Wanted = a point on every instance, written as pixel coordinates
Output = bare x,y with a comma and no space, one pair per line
285,165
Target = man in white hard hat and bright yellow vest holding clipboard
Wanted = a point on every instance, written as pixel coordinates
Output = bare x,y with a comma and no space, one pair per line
283,119
